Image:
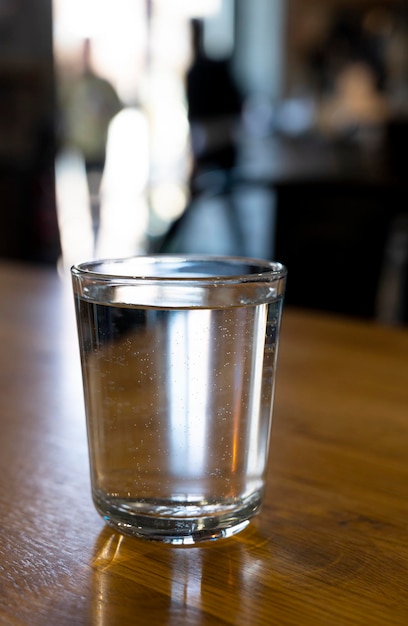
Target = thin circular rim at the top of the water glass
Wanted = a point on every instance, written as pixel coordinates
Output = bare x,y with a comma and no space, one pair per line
269,270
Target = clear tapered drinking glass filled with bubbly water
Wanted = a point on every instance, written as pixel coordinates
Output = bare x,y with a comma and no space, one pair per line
178,359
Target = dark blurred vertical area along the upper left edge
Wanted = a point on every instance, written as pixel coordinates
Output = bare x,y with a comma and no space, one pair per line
29,228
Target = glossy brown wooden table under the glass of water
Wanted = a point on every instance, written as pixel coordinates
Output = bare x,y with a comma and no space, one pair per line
329,548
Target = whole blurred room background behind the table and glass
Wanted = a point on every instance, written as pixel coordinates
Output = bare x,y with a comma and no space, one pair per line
268,128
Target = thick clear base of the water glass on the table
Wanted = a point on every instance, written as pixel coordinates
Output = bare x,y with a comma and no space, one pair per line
176,523
